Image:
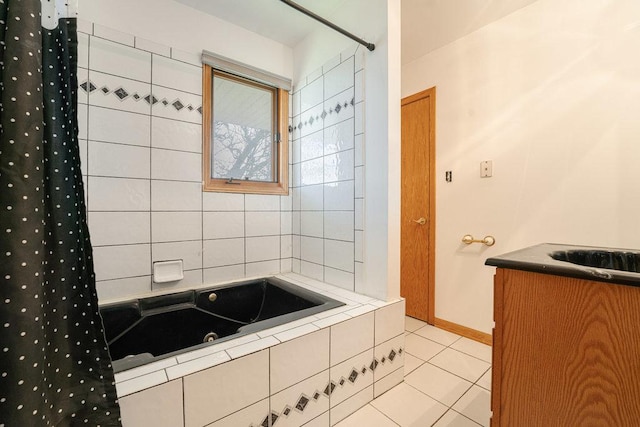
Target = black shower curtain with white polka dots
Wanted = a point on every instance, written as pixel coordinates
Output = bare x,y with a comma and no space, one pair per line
54,363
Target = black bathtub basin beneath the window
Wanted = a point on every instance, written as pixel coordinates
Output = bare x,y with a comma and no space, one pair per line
146,329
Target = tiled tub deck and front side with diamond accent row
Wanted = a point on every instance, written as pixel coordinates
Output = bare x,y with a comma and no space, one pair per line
317,370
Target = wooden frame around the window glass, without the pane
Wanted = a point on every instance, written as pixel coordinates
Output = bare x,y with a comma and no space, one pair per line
281,185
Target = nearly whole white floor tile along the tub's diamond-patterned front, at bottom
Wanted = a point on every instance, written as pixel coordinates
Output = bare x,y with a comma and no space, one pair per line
409,407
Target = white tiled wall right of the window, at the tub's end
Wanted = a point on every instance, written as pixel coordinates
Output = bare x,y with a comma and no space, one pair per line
328,171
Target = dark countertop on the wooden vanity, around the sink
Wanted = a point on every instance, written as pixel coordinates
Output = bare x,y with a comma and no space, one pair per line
601,264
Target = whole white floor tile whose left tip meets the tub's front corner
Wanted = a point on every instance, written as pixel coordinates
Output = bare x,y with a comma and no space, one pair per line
443,386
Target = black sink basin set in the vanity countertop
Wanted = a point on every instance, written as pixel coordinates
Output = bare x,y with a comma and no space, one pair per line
612,260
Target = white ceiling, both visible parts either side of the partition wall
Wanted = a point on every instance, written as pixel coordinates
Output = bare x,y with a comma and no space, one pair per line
426,24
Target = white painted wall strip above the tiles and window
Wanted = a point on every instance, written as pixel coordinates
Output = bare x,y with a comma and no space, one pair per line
173,24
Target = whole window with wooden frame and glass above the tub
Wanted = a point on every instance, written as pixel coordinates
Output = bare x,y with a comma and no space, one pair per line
245,132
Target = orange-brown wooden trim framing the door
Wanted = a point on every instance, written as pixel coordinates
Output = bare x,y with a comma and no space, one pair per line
431,261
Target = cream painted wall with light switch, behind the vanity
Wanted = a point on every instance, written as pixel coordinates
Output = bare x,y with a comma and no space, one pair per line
551,94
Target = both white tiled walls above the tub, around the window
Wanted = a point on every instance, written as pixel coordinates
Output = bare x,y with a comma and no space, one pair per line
140,114
